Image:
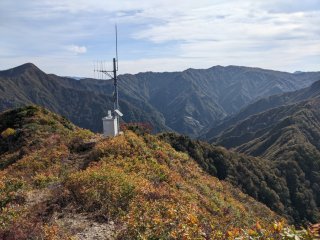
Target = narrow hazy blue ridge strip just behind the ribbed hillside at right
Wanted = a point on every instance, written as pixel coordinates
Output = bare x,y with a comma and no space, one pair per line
265,104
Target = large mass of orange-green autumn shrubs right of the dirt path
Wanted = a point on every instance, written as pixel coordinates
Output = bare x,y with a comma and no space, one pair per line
158,193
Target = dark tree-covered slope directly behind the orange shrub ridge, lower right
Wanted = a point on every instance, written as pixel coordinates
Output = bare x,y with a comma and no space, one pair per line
288,186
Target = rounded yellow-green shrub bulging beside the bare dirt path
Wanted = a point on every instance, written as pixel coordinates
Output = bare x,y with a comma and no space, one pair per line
102,189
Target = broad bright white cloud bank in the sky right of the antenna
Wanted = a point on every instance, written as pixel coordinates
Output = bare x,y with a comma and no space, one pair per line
241,33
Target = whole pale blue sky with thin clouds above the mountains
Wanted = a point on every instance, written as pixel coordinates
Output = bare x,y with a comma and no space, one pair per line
67,37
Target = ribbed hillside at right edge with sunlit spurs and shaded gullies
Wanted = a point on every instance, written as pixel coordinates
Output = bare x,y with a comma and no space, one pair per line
289,137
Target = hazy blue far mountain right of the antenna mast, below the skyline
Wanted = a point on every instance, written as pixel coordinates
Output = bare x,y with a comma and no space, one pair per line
195,98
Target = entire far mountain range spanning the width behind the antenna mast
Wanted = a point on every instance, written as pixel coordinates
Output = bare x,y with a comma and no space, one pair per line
187,102
